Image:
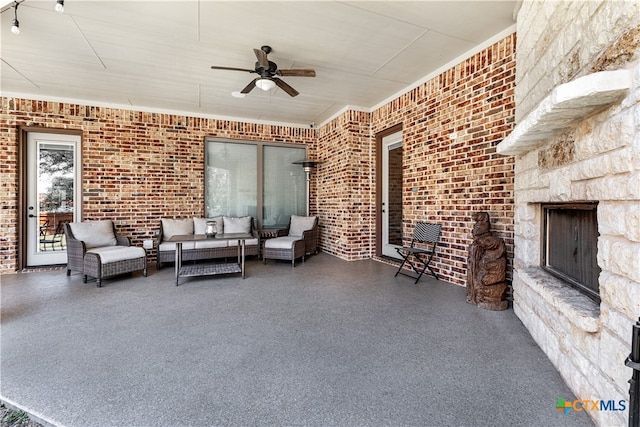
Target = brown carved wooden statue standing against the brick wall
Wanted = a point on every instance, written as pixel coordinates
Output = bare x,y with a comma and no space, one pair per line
487,263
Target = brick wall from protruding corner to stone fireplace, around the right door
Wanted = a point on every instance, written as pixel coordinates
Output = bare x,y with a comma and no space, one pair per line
453,177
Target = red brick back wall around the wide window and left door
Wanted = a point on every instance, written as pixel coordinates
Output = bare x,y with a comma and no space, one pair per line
137,167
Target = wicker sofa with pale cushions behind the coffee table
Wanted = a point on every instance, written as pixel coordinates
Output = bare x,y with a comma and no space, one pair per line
195,246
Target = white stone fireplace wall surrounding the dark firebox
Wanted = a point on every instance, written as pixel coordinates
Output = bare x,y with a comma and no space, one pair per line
597,160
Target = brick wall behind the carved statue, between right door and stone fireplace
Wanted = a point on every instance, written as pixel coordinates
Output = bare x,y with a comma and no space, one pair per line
450,126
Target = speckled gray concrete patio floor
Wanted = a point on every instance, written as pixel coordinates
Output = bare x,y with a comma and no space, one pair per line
328,343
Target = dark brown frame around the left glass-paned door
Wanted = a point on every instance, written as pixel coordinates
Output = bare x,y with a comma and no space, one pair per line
23,163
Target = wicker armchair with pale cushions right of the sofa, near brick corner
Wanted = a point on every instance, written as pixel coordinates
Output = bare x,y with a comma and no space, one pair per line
297,241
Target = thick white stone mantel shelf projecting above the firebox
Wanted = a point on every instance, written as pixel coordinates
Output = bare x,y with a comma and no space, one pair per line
566,105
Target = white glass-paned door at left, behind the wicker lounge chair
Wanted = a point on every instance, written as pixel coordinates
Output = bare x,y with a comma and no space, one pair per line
53,195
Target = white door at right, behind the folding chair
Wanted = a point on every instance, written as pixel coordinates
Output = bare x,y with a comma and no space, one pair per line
392,194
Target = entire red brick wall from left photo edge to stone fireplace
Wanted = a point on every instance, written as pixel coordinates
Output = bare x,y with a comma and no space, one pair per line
139,167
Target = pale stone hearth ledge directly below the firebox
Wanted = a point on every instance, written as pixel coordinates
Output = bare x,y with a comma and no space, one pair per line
579,309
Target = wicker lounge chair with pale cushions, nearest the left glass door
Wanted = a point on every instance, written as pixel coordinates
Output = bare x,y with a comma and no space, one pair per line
94,249
